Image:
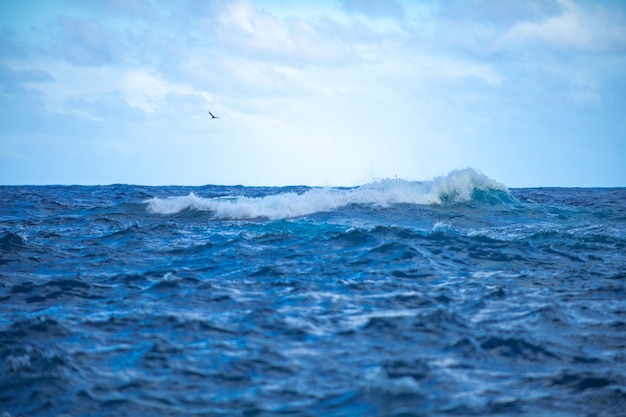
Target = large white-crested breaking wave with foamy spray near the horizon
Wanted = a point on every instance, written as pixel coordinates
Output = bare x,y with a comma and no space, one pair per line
459,186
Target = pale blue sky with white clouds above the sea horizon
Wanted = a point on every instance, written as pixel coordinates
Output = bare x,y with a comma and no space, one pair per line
326,92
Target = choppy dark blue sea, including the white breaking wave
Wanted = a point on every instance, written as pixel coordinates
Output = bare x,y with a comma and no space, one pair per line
450,297
